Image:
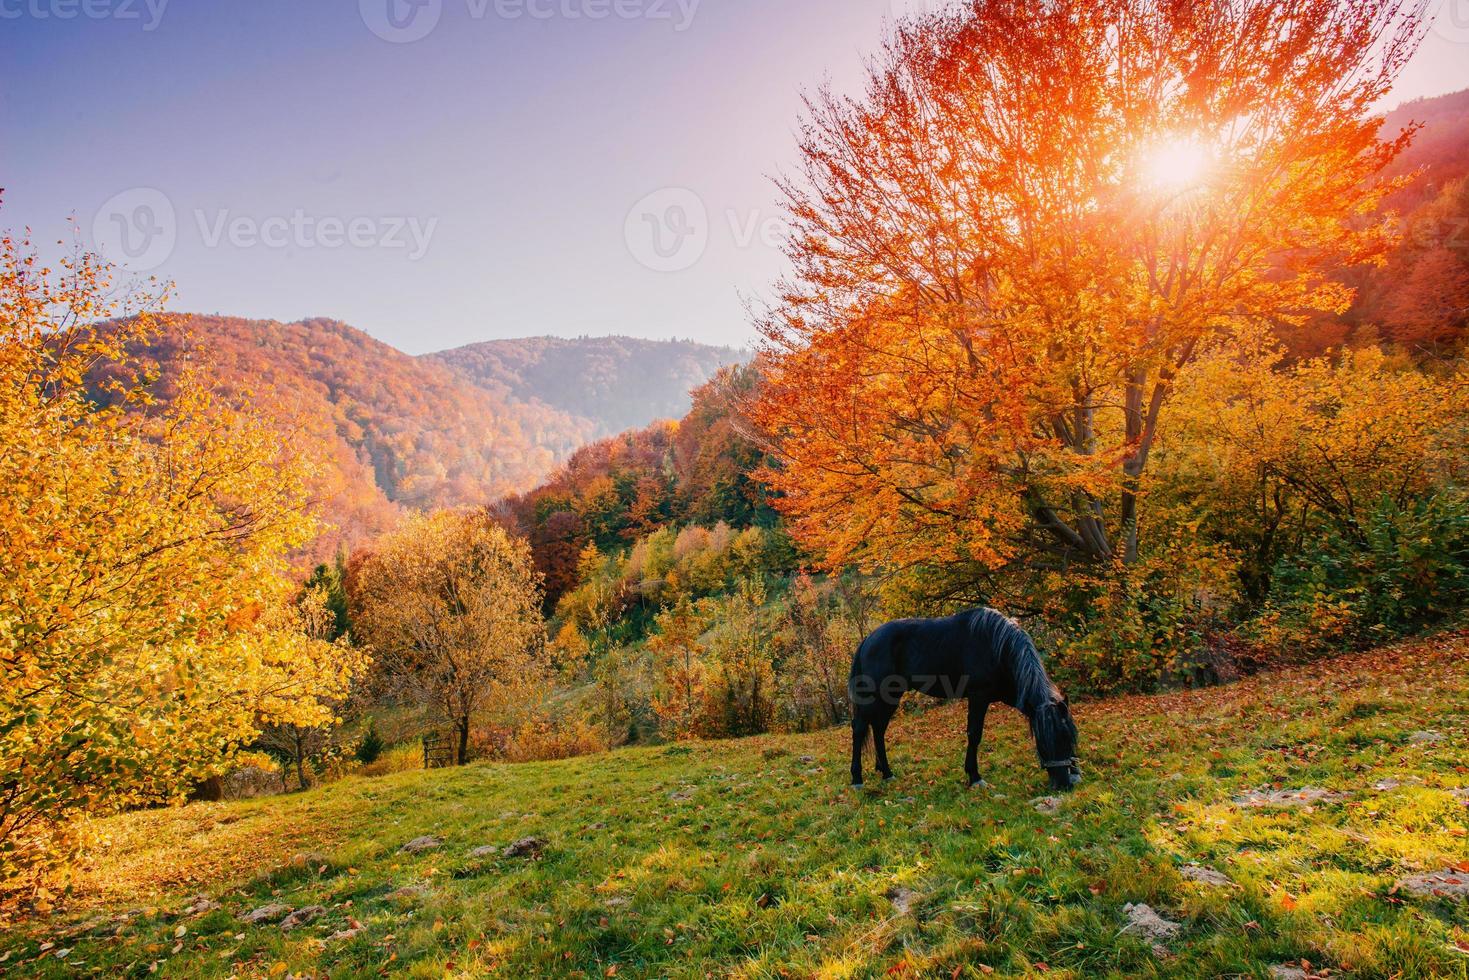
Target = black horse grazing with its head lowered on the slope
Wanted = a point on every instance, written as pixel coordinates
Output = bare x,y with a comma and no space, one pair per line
982,656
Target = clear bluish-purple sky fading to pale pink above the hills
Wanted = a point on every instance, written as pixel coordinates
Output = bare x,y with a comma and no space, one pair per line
441,173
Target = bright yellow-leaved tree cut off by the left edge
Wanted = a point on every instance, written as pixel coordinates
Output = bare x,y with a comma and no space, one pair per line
148,627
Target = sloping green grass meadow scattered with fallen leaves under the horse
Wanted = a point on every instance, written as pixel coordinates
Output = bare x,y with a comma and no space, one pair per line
753,859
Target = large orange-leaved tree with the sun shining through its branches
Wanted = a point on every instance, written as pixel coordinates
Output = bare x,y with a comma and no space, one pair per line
1013,243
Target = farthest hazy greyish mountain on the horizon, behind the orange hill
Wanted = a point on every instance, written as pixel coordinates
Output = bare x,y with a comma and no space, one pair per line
613,383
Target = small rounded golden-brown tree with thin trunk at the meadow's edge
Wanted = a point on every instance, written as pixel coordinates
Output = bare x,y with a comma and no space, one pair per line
452,608
